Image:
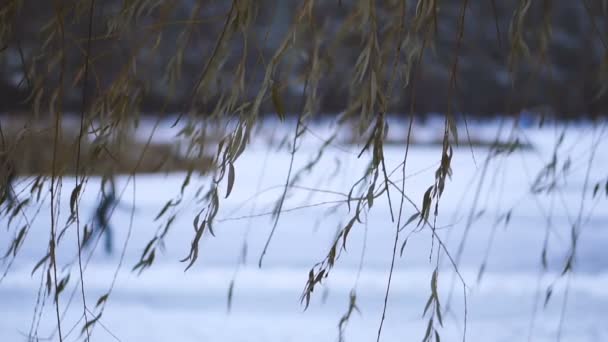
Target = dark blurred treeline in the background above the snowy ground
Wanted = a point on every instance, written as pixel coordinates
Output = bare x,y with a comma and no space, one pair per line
559,70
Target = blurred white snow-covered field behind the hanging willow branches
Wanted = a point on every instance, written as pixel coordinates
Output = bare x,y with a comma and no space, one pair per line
507,304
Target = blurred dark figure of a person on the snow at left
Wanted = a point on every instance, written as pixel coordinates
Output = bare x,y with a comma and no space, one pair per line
103,212
